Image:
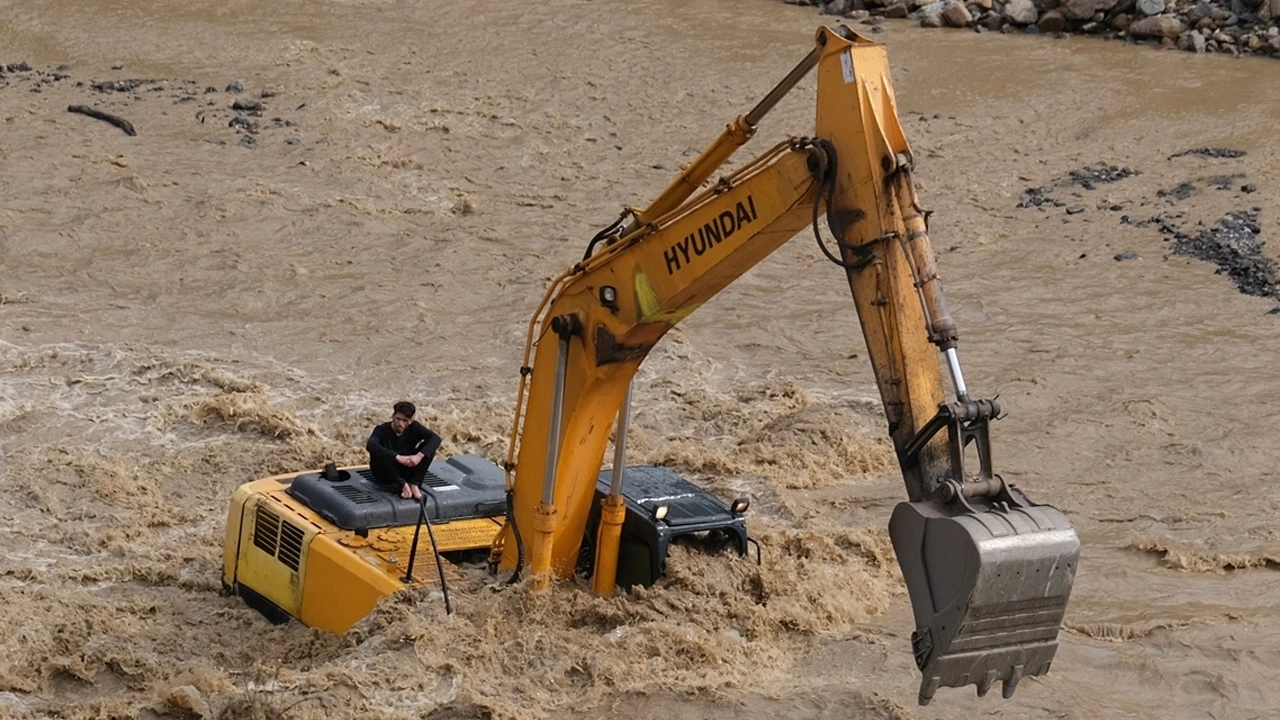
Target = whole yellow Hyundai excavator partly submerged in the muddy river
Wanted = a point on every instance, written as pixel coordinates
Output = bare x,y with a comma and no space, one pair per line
989,572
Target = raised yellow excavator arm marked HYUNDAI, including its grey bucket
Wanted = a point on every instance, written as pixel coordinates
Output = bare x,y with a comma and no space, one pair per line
988,571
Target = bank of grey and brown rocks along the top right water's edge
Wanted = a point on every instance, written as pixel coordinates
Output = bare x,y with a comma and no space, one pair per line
1238,28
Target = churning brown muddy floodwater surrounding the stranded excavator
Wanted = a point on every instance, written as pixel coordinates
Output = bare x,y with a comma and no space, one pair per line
180,315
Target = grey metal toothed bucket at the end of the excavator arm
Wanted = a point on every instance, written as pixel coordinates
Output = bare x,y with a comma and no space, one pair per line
989,589
